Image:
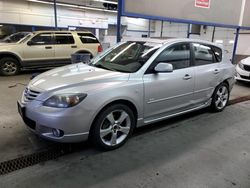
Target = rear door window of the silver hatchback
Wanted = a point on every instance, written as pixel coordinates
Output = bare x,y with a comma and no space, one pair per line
203,54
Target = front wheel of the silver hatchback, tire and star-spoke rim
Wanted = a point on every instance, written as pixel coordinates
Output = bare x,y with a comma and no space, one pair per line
112,127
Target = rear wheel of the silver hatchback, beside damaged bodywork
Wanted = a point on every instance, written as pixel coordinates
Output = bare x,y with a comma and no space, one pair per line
220,98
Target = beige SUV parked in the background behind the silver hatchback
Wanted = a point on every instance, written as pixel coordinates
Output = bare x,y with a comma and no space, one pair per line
43,49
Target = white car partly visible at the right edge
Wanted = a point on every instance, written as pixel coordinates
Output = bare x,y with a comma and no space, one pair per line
243,70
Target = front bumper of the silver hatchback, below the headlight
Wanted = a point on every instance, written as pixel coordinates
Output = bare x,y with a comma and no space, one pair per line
73,124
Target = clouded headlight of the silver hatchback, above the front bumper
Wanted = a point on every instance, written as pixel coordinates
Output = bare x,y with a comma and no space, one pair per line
65,100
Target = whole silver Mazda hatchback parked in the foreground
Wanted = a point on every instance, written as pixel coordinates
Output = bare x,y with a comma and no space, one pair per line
130,85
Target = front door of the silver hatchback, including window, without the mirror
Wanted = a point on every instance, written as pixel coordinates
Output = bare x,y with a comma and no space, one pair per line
169,93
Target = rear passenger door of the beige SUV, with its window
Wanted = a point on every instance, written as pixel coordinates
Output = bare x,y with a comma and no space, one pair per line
64,46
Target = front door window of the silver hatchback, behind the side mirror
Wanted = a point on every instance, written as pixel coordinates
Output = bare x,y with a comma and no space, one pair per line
178,55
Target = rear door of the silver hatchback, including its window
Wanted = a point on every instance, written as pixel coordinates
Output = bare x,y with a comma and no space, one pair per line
206,60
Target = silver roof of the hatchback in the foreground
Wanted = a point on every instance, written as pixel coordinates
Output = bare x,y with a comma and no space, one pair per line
157,41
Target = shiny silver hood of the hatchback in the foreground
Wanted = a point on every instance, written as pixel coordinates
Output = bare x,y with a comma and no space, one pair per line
75,75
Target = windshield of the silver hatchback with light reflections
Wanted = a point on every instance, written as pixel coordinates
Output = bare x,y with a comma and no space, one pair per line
127,57
